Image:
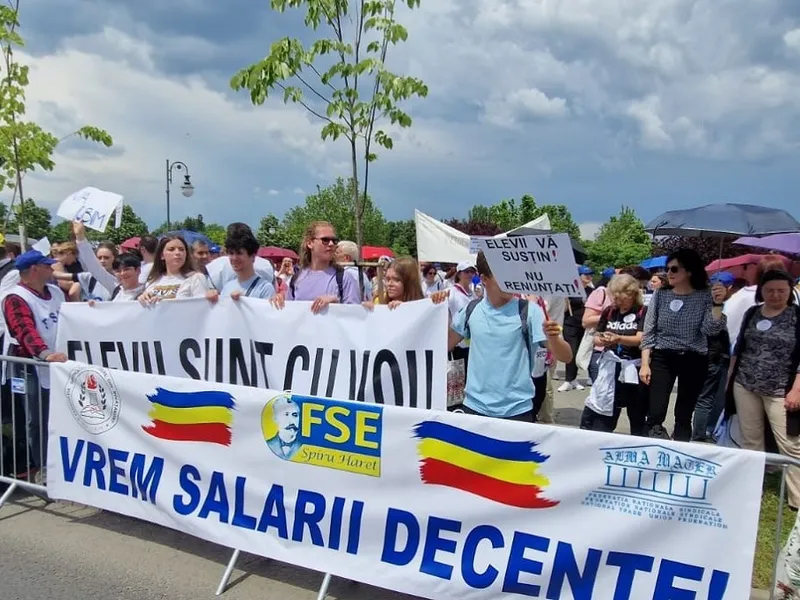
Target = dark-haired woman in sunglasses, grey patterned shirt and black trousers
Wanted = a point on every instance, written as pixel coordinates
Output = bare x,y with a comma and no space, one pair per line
680,318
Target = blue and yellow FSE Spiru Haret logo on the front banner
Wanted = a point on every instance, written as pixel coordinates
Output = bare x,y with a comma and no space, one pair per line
324,433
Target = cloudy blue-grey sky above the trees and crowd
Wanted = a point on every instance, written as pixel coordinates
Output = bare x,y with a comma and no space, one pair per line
656,105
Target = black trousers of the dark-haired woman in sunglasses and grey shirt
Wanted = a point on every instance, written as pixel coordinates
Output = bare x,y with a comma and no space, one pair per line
690,369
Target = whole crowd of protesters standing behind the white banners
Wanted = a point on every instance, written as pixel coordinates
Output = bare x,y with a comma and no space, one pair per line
730,347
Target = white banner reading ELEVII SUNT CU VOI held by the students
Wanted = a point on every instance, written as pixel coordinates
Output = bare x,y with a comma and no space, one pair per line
385,356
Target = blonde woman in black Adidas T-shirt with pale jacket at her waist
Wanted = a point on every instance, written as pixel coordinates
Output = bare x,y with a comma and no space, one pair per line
619,333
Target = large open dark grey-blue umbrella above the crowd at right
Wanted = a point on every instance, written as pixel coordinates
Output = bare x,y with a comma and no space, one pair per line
715,220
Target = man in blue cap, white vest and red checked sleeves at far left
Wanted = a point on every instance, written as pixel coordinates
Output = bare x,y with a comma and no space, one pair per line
30,311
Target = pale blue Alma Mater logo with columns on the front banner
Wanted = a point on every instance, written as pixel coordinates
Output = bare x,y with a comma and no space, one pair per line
657,482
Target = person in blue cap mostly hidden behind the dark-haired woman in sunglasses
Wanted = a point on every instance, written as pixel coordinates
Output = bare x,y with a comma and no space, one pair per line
711,400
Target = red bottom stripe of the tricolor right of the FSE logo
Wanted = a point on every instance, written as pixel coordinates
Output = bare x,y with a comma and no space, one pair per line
436,472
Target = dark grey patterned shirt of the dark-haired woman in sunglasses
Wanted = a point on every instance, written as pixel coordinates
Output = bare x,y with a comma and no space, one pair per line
680,322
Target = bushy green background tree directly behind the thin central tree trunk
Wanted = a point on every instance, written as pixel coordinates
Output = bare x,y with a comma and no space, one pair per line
335,204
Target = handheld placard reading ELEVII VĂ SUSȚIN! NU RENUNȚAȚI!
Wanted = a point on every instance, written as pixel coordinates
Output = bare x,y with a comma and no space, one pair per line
534,264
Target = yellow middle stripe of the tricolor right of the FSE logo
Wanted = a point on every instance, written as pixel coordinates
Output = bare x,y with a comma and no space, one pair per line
509,471
